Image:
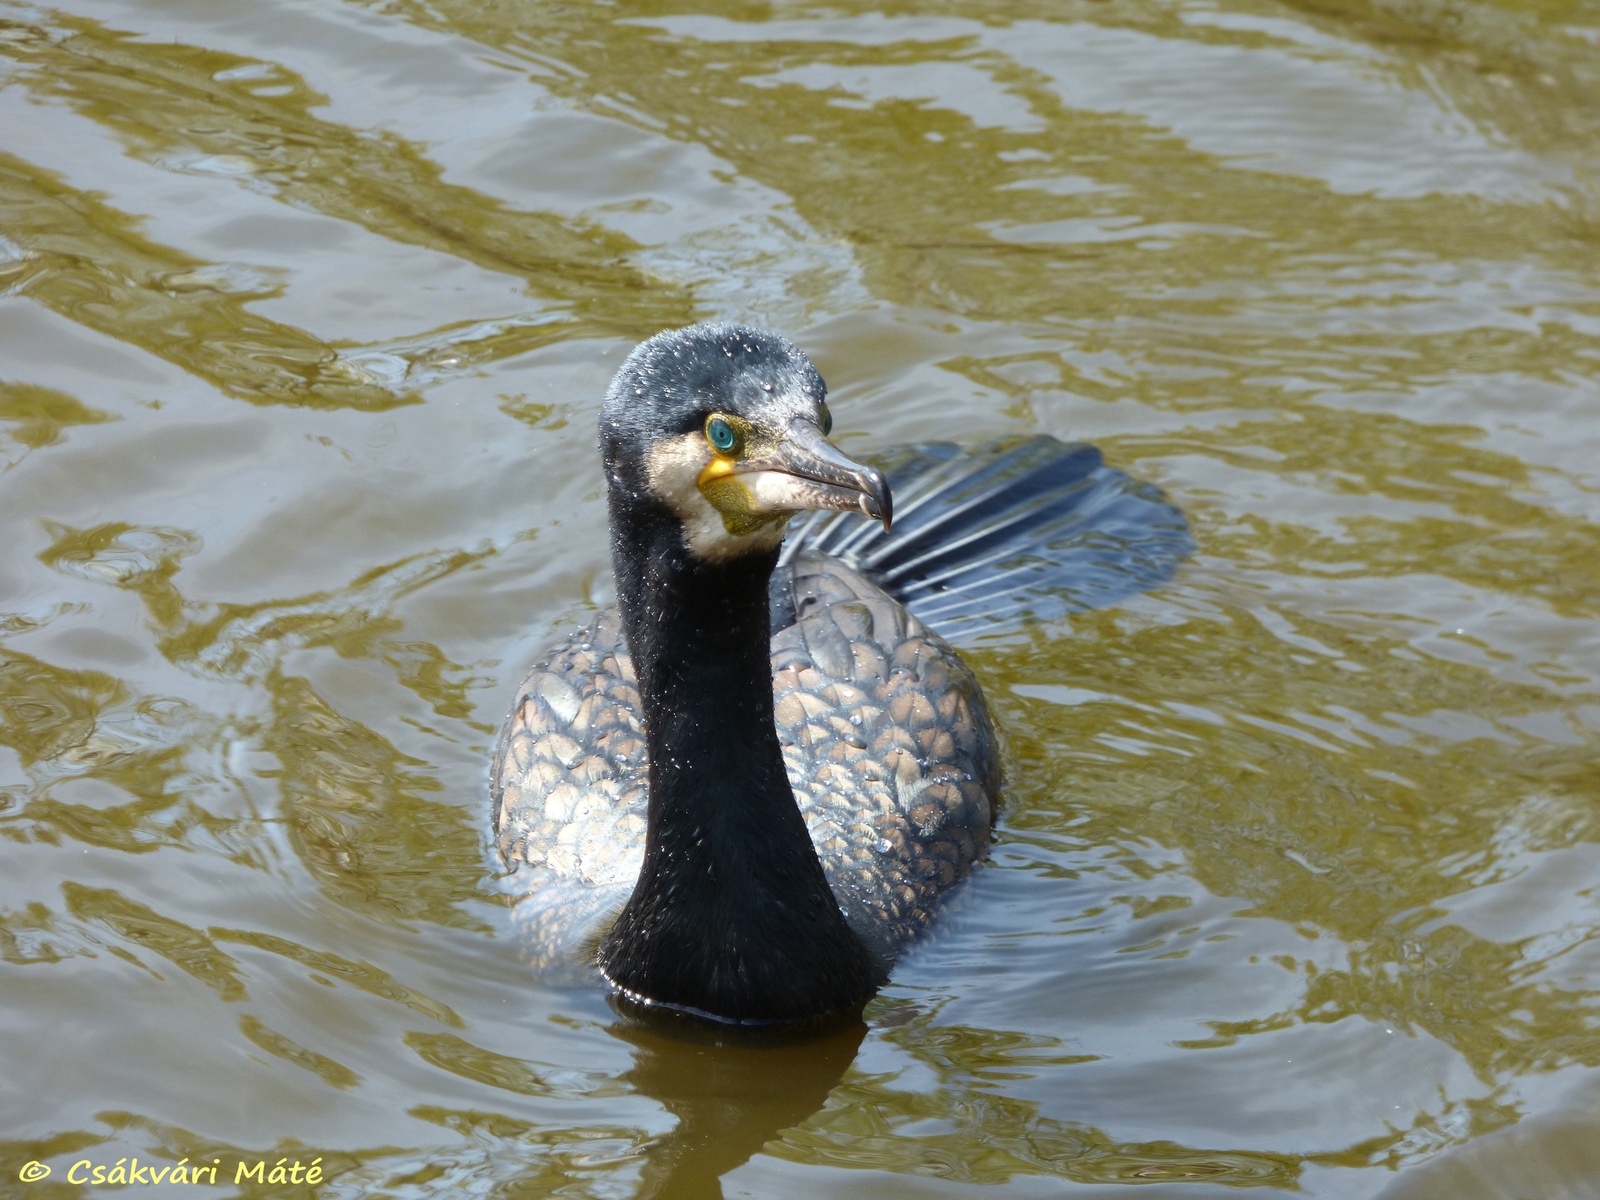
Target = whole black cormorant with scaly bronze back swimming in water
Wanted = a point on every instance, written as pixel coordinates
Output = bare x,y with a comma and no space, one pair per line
756,778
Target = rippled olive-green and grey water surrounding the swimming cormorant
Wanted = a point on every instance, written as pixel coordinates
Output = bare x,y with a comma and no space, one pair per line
305,314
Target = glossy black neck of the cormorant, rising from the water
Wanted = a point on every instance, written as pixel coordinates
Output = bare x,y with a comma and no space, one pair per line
732,914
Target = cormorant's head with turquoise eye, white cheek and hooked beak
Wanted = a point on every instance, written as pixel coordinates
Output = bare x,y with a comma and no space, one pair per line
727,428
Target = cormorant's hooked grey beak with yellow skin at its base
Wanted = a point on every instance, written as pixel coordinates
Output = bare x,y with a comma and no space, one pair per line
793,474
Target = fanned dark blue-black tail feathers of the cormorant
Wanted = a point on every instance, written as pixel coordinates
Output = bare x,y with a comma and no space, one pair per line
1014,532
